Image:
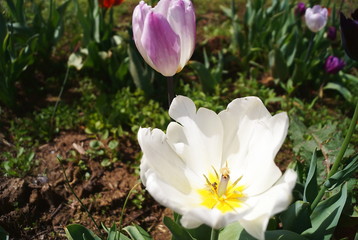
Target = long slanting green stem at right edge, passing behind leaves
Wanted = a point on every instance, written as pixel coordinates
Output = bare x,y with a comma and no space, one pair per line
339,157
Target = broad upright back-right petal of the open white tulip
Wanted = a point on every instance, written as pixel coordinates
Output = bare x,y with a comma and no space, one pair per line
252,138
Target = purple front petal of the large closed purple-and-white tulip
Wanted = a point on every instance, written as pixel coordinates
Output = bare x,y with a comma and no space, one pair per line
161,43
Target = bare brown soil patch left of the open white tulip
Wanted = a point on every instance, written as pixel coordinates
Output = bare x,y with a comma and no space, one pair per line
41,205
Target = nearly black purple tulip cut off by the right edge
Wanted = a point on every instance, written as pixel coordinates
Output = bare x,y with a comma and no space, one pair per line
349,30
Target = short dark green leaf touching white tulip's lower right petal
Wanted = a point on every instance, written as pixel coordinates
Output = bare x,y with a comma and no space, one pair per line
297,217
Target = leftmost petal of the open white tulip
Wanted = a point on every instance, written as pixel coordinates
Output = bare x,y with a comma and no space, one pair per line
159,157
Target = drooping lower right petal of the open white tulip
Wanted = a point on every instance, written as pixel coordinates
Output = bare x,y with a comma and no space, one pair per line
264,206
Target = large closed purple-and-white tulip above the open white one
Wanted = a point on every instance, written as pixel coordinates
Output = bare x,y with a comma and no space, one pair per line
165,34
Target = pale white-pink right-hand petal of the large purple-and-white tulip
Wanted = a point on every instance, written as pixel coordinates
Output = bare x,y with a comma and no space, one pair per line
181,17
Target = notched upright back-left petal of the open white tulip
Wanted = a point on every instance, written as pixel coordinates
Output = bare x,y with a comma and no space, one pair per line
198,141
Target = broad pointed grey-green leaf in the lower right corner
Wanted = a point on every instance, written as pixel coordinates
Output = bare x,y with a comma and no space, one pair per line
326,215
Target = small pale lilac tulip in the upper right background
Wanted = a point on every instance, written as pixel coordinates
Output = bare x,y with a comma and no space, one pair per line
316,18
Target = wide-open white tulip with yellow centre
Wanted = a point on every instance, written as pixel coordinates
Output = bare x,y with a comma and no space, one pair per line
216,169
